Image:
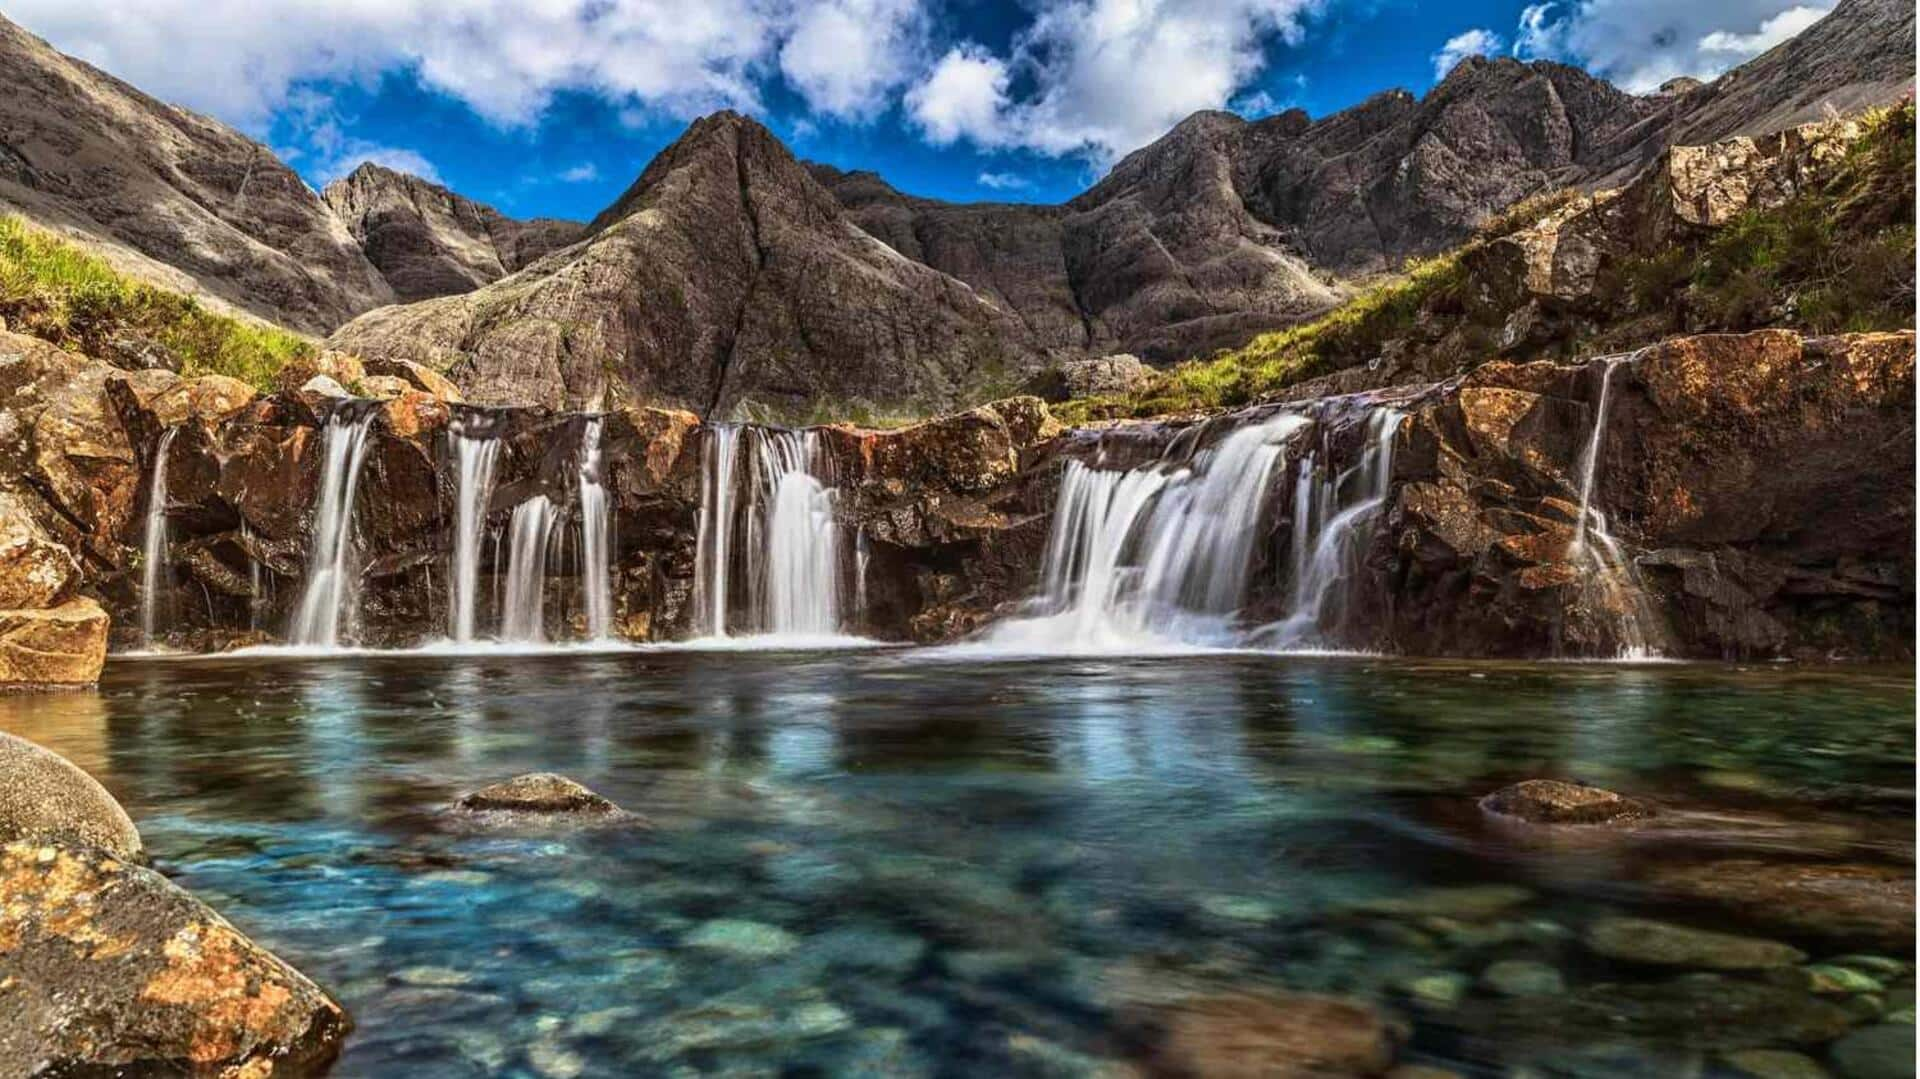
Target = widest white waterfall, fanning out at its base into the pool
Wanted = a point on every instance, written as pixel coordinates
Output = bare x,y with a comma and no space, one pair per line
1161,554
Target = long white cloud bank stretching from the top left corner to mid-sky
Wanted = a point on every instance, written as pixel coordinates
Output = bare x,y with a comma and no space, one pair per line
506,59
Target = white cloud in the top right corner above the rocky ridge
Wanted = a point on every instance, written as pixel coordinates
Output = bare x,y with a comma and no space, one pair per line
1644,43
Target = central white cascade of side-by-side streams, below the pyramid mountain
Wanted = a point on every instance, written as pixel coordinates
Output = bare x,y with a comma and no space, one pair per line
779,531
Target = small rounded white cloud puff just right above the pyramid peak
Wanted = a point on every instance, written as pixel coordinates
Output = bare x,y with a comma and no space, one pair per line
848,57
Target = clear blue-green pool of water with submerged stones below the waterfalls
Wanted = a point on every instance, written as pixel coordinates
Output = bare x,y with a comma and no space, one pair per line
903,865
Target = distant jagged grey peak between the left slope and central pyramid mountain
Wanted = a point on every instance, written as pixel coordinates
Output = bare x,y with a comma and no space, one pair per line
429,241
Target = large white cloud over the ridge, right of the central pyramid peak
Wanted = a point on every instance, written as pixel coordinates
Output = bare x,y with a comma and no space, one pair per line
1101,78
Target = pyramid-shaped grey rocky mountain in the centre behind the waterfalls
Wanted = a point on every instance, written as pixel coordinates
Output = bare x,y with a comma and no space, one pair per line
725,279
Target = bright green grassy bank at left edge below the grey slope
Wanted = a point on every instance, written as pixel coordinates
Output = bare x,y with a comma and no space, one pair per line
57,291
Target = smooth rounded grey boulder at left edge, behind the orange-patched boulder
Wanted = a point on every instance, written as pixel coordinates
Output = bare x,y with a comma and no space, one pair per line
49,800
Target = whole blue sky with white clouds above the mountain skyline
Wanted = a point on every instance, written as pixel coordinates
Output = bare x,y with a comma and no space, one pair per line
554,107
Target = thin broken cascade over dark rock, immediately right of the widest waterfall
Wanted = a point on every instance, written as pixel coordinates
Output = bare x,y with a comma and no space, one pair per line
1335,519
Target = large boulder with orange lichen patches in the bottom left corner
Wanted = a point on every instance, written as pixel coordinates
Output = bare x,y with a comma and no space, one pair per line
112,969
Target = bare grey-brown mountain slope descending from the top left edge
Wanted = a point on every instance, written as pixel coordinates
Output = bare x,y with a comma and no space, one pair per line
170,195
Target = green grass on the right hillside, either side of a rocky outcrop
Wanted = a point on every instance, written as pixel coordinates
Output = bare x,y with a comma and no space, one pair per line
1838,258
